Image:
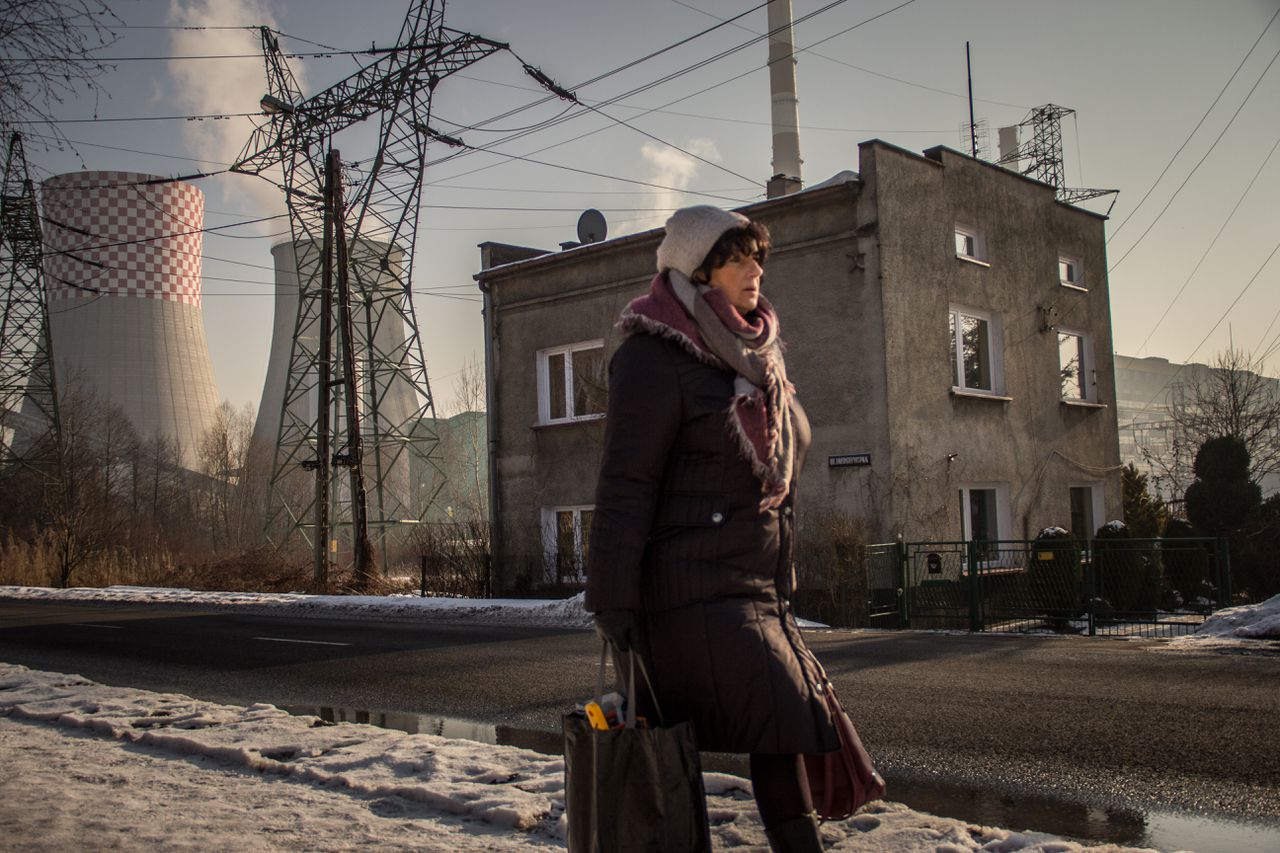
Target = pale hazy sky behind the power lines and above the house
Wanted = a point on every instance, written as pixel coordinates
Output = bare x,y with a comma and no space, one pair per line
1172,108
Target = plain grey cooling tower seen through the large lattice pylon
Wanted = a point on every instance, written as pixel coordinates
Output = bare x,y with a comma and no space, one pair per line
397,405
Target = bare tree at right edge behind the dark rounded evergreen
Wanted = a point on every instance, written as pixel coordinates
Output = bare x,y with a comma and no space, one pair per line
1231,398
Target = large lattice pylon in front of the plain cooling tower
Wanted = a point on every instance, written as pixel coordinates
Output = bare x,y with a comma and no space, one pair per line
356,354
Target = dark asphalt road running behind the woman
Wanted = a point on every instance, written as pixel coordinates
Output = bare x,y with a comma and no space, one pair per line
1014,731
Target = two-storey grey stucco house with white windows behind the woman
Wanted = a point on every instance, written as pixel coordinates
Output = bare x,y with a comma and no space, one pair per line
949,334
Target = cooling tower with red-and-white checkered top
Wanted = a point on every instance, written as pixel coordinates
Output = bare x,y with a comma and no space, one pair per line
122,271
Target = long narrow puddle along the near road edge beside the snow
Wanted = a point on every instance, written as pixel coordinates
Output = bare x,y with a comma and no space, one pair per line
1081,822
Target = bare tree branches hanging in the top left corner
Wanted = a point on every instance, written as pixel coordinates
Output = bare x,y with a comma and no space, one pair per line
49,53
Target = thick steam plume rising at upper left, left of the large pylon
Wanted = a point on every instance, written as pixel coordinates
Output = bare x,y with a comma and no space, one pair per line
225,86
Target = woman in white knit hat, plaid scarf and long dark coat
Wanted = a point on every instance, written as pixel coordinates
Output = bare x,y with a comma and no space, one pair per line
691,559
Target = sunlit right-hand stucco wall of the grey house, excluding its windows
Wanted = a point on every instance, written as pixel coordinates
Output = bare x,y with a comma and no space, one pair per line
1034,444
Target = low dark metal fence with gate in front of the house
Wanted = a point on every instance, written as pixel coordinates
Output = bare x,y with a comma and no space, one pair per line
1121,587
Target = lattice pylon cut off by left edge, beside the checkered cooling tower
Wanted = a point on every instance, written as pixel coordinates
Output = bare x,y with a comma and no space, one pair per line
30,426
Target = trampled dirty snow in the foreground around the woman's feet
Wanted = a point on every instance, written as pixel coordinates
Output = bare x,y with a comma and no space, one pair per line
139,770
